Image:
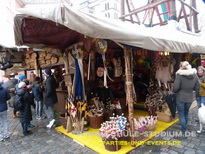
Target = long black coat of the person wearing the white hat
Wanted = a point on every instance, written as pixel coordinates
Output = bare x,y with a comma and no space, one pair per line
26,114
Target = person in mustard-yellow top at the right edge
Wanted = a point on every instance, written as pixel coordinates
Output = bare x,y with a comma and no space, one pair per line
201,94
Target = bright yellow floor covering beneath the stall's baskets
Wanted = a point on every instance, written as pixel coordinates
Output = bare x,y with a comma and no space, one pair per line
92,139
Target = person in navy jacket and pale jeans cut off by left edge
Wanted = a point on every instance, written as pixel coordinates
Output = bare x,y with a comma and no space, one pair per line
4,96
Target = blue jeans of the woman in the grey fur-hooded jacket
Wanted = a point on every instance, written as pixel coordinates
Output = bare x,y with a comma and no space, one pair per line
183,111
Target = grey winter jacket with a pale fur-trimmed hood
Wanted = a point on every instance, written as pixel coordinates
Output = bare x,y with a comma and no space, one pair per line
185,83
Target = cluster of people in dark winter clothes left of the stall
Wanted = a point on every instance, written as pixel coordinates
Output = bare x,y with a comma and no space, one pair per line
27,94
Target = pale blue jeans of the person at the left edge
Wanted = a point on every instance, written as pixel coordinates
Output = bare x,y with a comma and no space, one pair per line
3,117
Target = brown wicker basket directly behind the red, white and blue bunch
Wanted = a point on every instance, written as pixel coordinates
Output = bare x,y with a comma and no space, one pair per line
95,122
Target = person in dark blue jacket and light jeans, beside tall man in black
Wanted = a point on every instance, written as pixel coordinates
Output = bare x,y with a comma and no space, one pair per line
38,96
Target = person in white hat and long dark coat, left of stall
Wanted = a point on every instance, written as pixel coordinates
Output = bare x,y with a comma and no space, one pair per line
25,113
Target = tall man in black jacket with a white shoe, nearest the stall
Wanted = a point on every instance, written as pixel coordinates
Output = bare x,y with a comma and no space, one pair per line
50,97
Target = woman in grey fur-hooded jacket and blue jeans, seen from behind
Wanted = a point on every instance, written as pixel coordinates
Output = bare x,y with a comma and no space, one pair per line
186,82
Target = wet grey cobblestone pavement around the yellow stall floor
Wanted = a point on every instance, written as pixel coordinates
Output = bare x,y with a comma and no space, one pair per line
46,141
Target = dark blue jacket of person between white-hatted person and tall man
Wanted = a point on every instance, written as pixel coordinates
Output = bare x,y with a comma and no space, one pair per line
37,91
